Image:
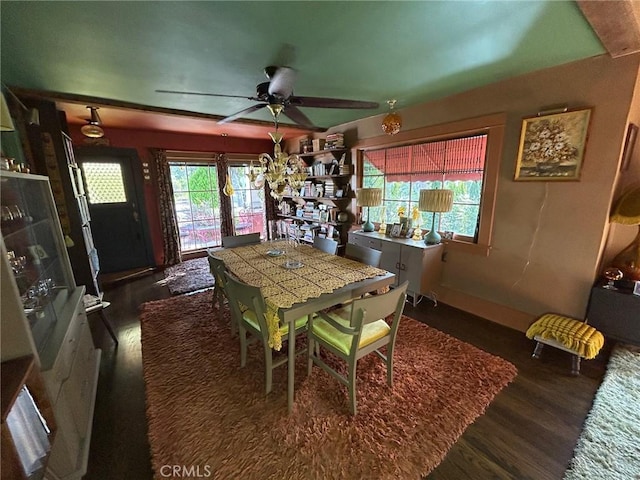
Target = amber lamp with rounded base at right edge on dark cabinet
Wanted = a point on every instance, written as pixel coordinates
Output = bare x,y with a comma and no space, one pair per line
627,212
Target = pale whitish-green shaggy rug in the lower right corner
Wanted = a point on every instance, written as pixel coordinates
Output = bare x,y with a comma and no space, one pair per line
609,445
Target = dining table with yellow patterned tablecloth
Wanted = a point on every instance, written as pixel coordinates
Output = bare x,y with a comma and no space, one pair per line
297,281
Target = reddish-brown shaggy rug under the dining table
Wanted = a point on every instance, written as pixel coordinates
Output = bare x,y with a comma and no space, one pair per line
207,413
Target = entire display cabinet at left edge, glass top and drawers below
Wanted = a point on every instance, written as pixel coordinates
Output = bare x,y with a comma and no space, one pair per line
43,314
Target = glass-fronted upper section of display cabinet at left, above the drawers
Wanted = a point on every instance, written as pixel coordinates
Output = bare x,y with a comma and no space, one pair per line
38,259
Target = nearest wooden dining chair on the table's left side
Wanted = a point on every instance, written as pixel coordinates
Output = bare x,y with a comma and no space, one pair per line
249,311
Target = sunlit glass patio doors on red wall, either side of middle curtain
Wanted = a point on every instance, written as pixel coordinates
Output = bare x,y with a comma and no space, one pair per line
194,177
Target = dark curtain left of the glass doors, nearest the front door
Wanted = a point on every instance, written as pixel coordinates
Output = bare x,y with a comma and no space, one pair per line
170,234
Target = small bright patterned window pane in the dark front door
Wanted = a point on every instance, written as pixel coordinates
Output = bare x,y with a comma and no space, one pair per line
105,183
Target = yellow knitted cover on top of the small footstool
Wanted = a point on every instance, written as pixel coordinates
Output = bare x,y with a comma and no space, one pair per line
585,340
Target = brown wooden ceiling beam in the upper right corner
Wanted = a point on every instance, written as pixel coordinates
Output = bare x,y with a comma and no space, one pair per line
617,24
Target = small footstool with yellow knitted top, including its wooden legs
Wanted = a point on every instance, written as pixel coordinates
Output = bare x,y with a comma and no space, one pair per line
568,334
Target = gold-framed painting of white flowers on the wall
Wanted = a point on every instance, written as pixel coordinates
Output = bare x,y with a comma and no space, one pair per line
552,146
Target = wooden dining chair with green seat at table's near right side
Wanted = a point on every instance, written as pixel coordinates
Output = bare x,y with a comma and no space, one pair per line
350,338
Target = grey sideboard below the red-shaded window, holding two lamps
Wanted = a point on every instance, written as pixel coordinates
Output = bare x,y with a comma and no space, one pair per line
410,260
